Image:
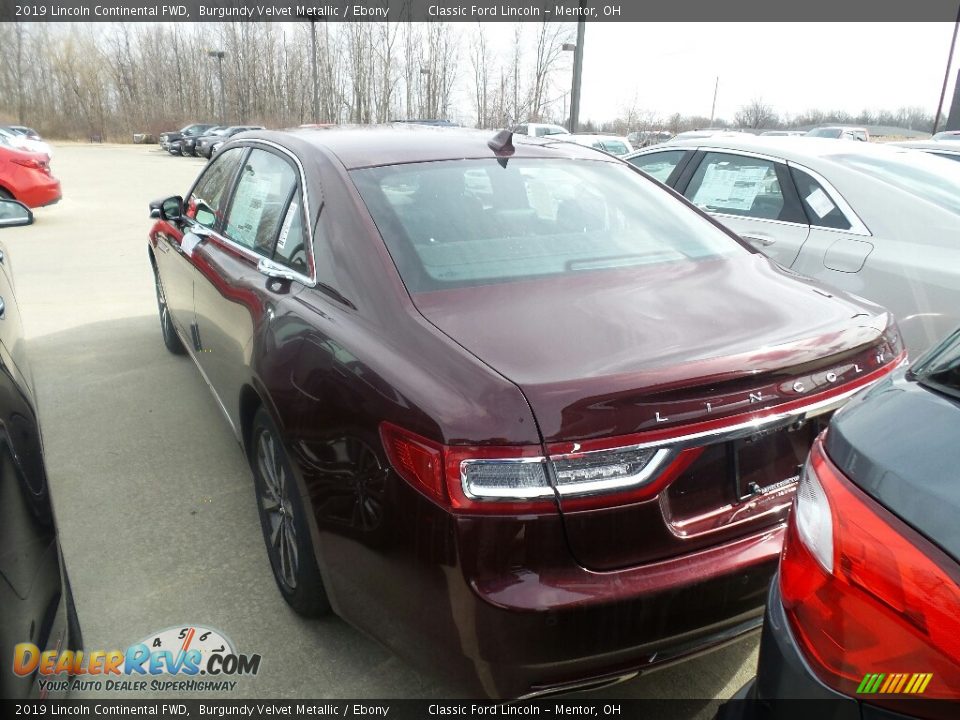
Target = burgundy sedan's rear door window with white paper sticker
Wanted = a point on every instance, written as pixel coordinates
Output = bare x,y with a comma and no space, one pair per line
260,202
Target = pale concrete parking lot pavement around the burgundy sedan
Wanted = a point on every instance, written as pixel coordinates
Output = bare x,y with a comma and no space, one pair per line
153,496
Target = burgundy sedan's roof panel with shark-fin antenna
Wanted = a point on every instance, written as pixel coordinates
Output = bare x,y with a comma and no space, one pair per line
370,146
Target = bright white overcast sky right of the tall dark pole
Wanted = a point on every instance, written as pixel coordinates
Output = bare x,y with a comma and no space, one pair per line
793,66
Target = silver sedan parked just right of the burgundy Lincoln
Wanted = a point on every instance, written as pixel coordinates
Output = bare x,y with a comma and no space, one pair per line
878,221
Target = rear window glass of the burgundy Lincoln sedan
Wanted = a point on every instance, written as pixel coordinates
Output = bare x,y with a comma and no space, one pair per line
462,223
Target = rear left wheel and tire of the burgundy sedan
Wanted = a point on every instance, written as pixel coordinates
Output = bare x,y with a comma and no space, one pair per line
283,520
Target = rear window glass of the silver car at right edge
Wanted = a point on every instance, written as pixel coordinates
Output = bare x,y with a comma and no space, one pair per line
919,174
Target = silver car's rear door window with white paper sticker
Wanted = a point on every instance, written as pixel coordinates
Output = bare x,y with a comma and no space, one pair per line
741,185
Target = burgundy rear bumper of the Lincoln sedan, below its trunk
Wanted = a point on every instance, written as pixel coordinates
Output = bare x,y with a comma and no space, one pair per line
569,627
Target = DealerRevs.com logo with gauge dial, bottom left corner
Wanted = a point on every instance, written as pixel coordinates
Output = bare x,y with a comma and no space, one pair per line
203,658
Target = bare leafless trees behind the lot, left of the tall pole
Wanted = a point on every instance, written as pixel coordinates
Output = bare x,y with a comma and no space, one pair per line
112,80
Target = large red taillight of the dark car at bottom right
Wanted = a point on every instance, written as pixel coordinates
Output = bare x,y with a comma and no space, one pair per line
865,593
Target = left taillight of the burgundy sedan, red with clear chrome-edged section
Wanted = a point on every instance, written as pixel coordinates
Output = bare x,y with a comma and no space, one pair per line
517,478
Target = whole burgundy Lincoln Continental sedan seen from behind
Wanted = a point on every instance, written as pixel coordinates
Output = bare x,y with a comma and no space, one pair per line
513,408
